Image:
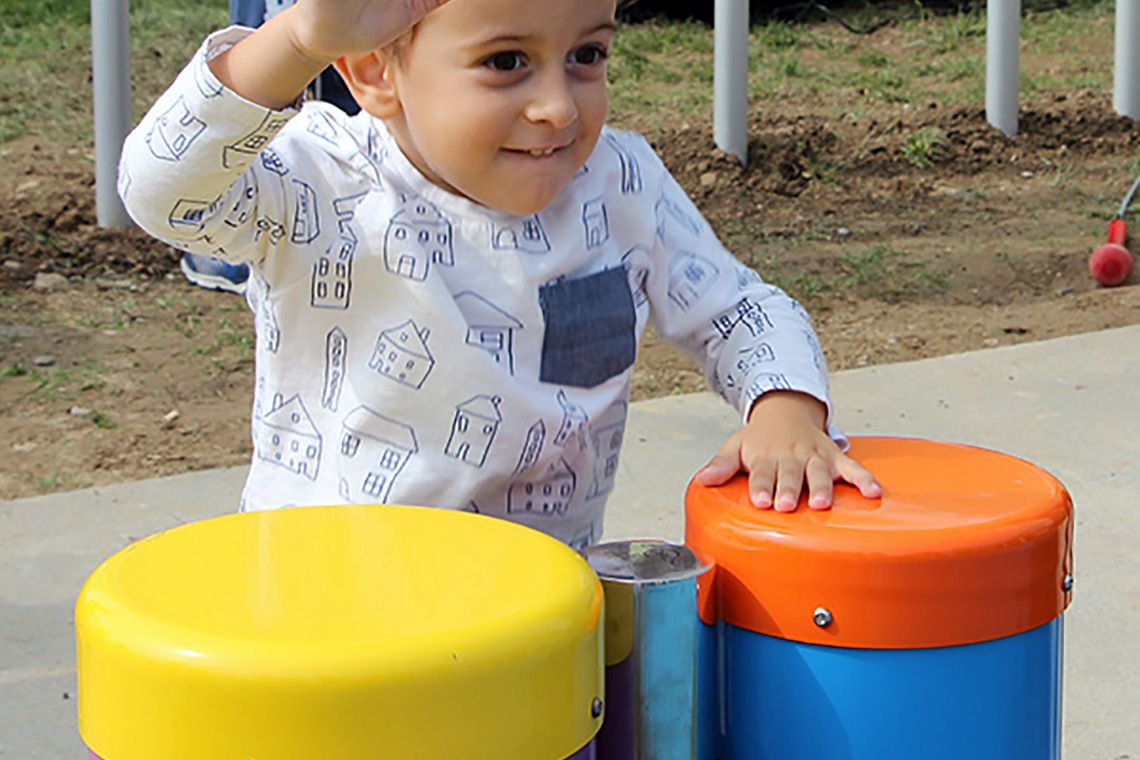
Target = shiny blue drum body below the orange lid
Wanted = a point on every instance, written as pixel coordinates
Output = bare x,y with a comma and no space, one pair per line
769,699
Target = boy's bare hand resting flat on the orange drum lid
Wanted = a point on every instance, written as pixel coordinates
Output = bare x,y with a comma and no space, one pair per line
784,446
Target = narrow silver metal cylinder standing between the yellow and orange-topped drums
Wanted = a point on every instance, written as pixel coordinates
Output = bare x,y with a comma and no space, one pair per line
652,641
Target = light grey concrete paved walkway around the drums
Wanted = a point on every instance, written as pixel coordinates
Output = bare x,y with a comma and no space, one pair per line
1071,405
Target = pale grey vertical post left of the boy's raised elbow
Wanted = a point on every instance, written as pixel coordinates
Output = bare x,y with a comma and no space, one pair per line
111,68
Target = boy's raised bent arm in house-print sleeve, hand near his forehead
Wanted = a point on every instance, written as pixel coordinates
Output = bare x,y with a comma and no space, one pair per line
207,171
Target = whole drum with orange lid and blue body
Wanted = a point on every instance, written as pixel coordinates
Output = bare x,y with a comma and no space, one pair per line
923,625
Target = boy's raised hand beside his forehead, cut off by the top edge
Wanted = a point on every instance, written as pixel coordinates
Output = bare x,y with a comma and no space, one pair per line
325,30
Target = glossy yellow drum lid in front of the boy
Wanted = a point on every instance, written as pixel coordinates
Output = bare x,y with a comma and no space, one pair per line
341,633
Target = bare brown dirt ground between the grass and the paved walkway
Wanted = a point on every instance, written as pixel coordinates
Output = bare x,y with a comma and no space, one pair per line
118,370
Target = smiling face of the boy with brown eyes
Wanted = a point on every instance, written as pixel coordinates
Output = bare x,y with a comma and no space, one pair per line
503,101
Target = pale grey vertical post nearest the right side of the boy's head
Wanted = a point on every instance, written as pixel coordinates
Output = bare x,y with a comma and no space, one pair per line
730,78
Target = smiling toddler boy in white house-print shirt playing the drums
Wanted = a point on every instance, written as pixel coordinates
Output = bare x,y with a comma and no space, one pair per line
450,287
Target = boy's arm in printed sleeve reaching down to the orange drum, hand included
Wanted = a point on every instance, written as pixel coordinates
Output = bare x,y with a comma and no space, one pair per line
760,353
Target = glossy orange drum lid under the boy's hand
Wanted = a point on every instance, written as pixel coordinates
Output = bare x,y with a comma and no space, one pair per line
965,546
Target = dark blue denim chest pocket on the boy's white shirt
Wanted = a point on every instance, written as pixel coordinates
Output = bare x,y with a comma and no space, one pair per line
591,325
